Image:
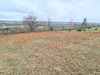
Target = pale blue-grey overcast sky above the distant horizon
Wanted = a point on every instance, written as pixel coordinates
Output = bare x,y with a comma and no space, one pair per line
58,10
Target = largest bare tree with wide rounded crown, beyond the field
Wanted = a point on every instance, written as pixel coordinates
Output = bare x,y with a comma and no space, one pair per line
31,21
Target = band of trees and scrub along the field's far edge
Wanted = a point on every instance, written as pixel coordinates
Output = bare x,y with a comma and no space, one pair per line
31,24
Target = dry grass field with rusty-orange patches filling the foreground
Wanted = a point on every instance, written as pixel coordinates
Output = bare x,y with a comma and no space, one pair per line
50,53
